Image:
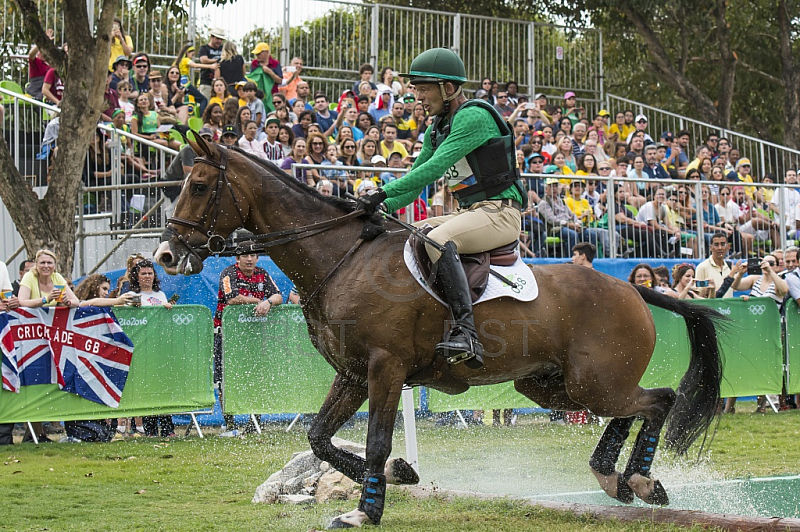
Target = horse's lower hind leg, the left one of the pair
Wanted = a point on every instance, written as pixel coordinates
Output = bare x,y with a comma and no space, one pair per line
604,459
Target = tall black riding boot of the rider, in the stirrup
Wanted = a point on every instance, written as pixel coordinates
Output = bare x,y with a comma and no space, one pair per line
460,343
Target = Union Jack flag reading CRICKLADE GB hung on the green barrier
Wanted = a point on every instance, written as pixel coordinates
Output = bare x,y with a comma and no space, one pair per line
83,350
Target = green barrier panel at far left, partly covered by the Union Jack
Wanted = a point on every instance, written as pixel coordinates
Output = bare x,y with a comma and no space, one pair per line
170,371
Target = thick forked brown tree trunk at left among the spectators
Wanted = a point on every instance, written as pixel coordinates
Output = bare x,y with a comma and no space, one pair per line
50,222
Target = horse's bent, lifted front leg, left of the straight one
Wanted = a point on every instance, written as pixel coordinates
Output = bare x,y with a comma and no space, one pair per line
343,400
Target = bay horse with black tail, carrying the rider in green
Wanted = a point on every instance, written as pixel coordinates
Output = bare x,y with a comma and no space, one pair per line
584,343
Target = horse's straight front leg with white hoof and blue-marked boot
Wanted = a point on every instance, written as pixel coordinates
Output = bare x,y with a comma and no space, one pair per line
386,378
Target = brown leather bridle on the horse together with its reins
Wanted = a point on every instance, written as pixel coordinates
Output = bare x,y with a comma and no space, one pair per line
218,245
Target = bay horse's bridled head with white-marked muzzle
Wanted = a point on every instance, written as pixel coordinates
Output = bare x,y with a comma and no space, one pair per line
210,207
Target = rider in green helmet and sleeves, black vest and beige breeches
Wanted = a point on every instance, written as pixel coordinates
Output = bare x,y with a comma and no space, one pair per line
472,146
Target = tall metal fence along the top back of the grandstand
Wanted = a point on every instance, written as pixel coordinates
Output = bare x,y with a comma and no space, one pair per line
335,37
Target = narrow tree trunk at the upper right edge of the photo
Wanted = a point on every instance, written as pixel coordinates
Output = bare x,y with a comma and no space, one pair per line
791,79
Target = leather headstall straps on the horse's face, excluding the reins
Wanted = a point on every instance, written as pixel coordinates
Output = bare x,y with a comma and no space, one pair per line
215,242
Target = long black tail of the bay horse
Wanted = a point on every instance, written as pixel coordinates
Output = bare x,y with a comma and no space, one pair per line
699,390
